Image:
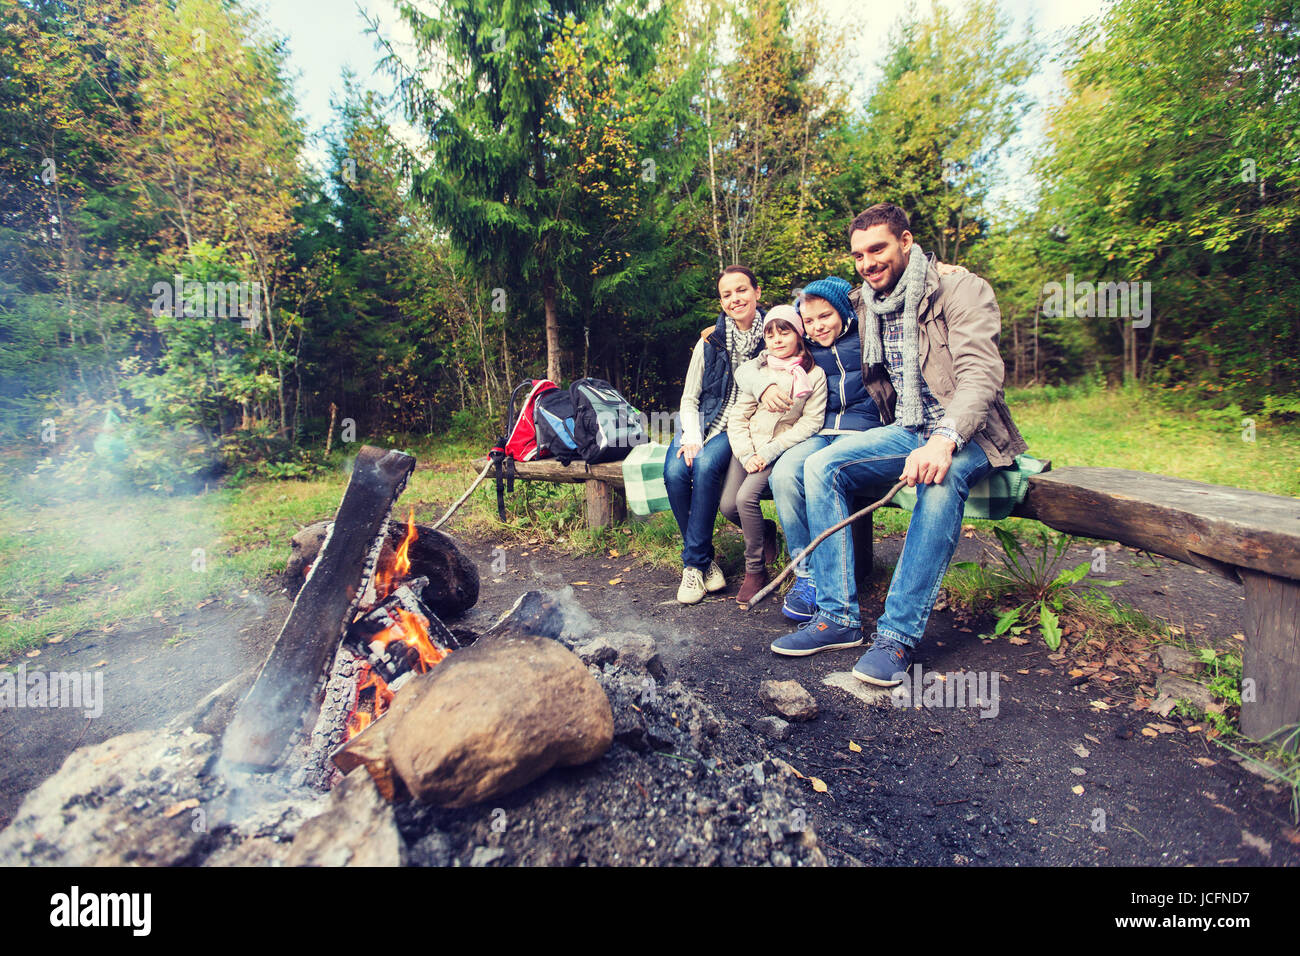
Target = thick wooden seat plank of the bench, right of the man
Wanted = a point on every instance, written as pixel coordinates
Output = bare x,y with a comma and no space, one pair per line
1214,527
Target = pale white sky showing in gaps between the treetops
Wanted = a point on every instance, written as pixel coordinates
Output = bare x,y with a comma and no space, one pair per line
328,36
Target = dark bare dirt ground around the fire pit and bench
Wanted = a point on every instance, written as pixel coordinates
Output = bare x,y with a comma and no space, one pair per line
1052,780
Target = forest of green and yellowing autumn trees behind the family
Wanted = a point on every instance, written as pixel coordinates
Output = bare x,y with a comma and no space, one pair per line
556,187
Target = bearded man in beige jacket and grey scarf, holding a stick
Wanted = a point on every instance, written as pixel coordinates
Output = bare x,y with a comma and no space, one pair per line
937,335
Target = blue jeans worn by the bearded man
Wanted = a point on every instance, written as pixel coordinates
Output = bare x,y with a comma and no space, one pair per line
876,460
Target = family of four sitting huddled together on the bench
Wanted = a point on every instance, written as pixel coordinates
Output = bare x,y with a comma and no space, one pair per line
855,390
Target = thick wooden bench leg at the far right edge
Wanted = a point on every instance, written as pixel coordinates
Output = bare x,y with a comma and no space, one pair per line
1271,664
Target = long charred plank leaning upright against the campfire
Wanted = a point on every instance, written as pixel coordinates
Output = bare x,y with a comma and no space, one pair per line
285,698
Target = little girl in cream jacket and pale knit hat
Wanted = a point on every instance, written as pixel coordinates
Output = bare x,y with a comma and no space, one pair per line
760,436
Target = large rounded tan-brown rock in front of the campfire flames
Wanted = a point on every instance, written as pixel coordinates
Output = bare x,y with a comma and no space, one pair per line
495,717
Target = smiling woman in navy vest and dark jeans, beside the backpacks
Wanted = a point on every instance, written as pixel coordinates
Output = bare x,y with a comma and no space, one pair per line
700,456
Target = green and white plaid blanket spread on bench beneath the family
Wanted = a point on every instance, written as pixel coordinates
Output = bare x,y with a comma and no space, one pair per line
994,499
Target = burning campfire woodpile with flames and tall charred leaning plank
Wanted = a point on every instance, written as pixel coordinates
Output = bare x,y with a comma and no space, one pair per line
365,621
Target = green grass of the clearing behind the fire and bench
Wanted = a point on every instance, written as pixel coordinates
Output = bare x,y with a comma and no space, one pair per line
86,564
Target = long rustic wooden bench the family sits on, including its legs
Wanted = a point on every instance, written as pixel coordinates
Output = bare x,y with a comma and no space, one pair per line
1249,538
